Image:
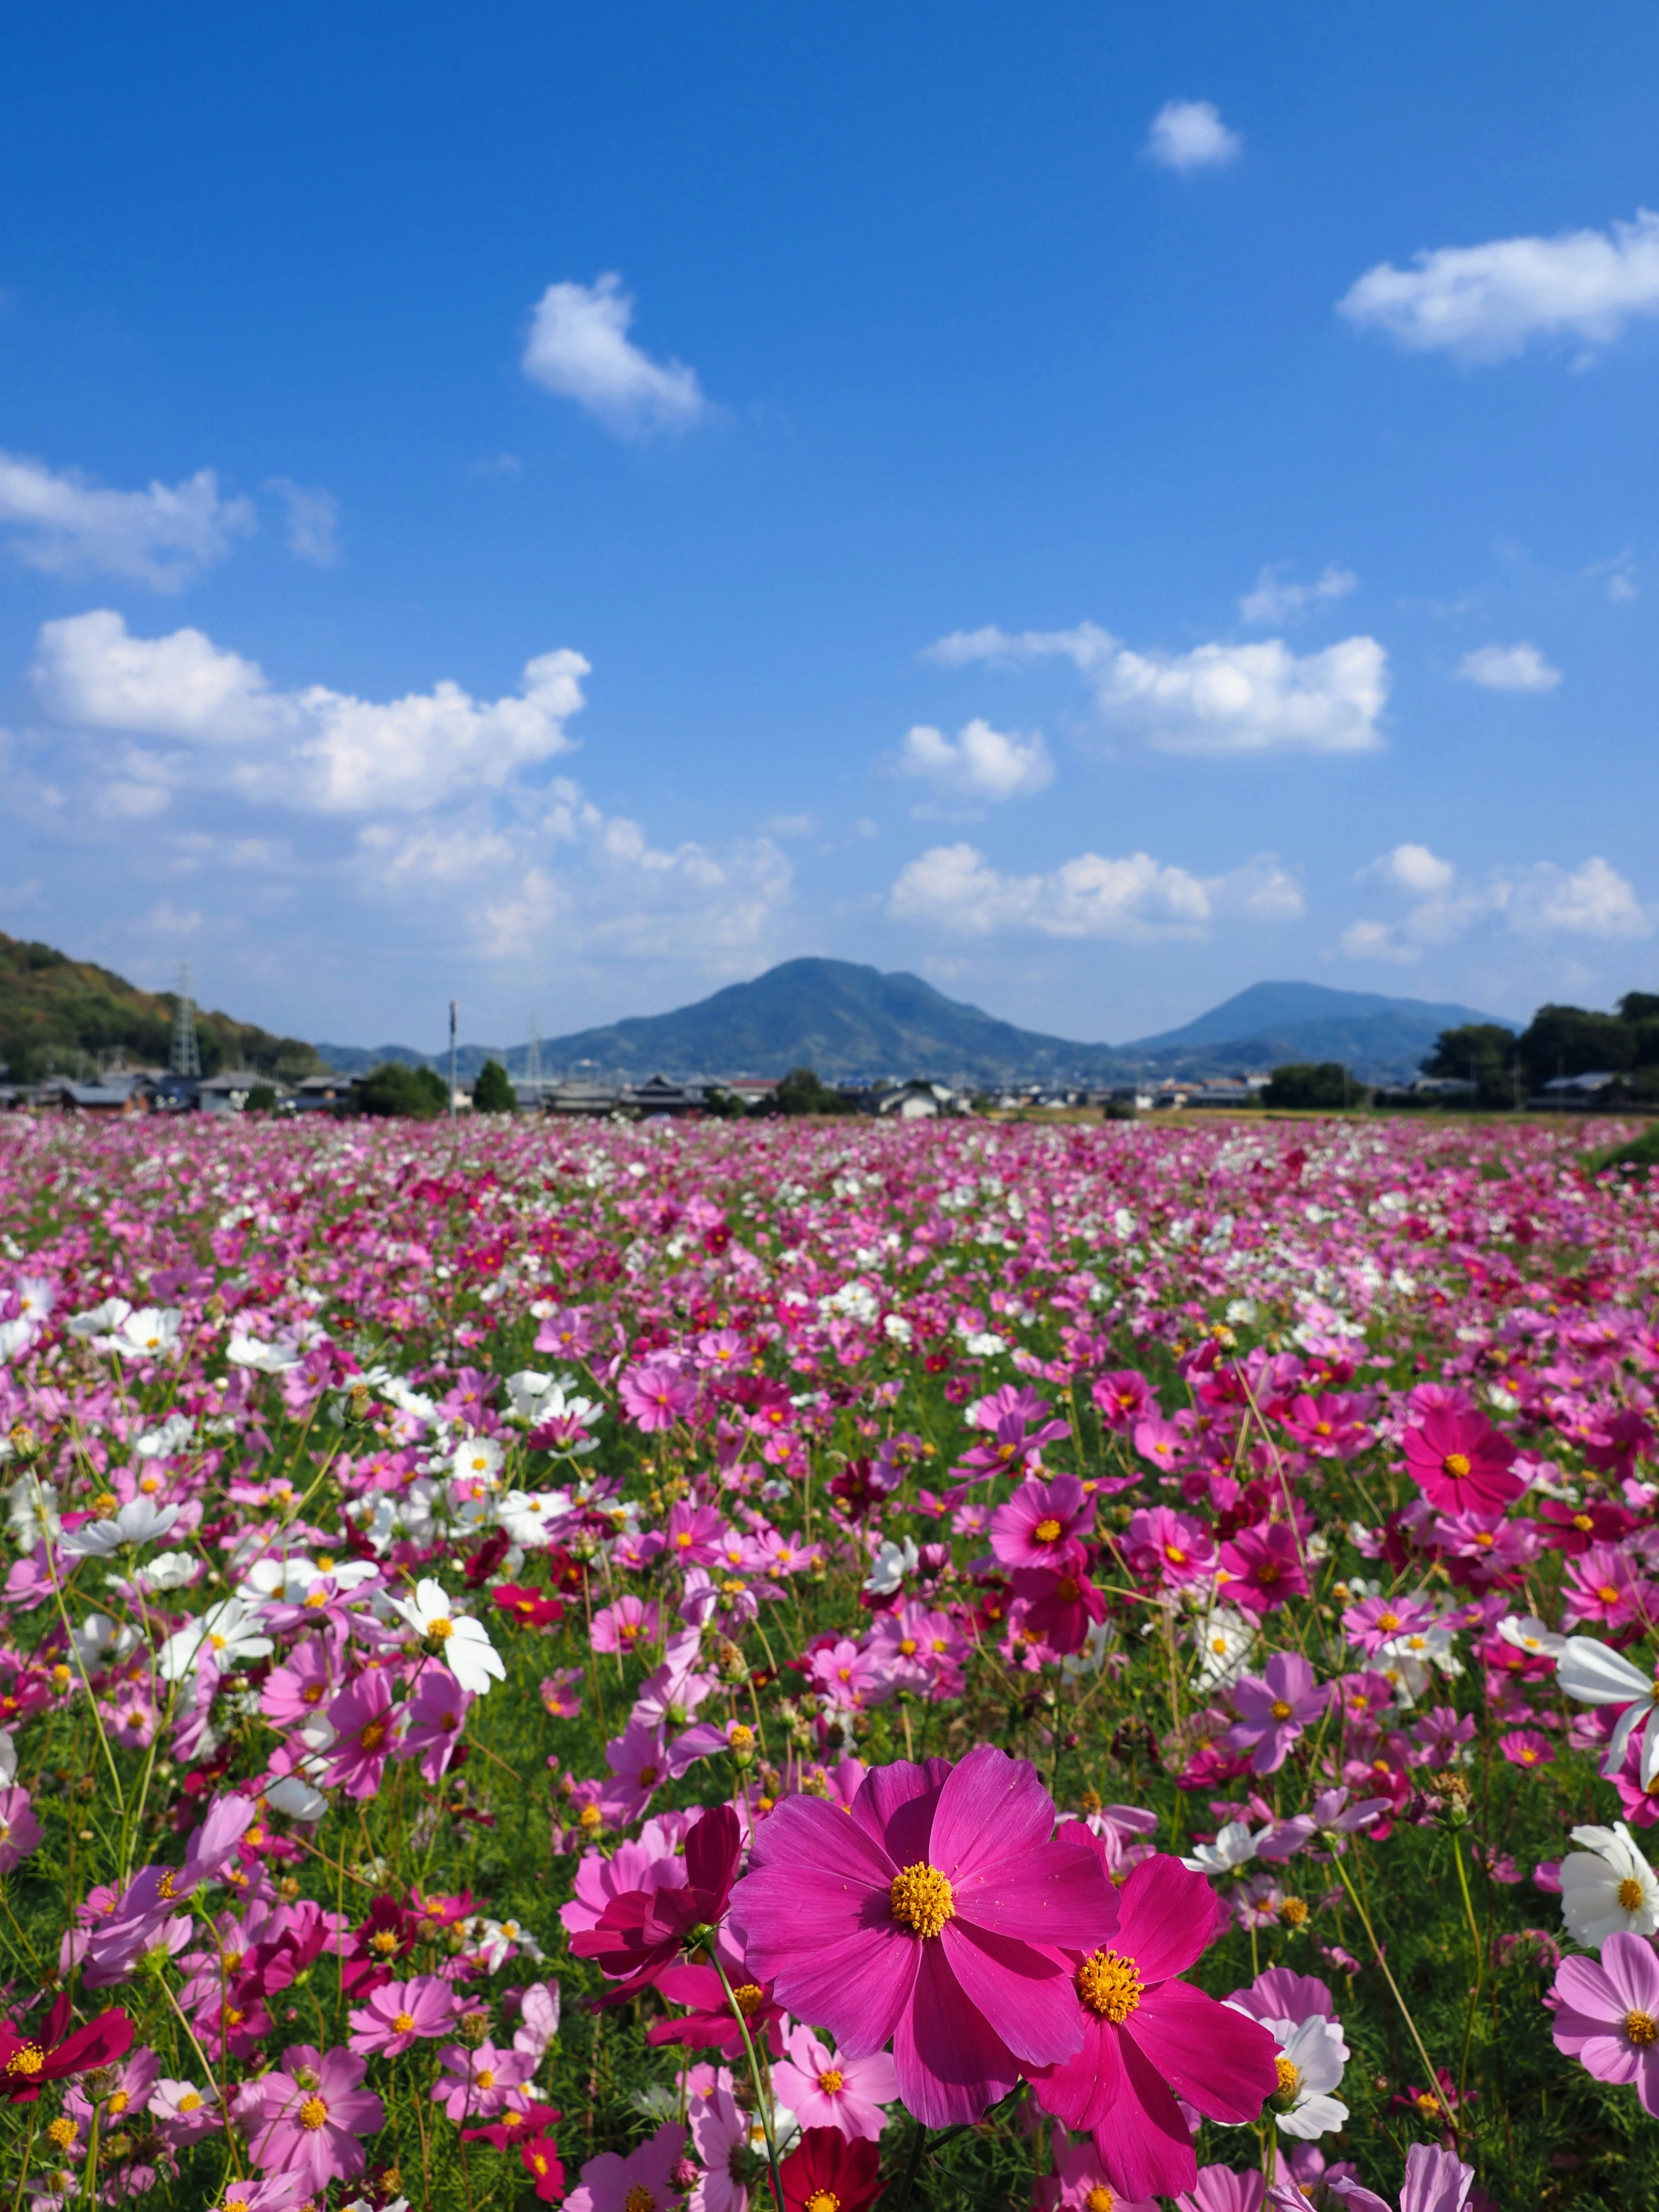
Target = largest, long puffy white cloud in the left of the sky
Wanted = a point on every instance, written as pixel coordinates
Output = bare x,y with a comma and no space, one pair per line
315,749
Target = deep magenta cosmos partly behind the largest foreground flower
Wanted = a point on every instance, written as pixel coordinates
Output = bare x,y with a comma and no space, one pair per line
1147,2038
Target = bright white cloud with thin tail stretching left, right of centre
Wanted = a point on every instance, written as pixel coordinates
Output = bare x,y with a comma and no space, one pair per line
1213,700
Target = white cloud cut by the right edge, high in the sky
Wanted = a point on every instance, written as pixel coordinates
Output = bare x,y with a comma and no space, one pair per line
1488,302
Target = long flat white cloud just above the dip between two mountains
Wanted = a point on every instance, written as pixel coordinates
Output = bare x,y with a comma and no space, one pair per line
1136,899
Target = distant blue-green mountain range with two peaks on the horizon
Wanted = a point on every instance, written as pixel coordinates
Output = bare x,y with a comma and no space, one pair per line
851,1023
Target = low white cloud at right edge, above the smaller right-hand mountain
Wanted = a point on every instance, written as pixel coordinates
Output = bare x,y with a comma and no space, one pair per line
1541,901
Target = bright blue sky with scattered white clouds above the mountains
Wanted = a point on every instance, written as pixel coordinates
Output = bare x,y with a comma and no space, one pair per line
567,508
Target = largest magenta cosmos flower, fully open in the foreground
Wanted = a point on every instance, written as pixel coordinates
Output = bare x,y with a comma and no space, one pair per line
919,1919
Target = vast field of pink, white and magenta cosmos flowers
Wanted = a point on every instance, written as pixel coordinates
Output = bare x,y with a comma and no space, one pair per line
711,1667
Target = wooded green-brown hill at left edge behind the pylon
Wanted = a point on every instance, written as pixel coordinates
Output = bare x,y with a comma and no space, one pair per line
59,1014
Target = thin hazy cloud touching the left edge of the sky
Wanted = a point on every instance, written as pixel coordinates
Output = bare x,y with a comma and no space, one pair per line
163,536
